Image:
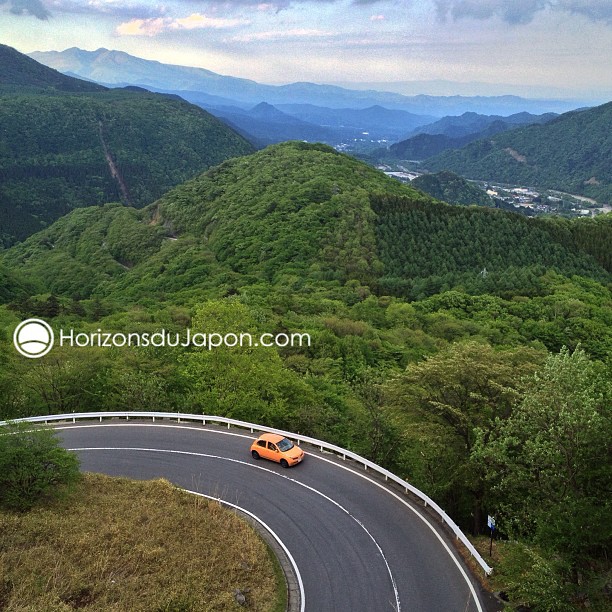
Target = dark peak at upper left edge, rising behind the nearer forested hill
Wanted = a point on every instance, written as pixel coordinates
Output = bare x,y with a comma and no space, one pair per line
19,70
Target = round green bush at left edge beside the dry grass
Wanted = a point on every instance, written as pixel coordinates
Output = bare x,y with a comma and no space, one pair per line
33,466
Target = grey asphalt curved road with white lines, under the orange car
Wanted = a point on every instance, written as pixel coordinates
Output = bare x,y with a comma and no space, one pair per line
358,545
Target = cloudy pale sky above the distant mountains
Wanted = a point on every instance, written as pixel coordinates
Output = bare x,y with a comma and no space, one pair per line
560,48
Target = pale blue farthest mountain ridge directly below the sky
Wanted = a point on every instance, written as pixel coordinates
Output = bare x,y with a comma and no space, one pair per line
118,67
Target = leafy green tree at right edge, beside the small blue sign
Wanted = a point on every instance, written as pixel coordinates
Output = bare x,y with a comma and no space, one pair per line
548,465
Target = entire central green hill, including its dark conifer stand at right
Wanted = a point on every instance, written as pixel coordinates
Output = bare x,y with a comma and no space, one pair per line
300,214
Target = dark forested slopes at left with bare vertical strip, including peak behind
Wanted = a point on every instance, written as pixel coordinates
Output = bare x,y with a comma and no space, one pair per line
61,150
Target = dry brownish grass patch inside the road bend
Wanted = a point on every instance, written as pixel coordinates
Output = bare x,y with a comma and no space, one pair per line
124,545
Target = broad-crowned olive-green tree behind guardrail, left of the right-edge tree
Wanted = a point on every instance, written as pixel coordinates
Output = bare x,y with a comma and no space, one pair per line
451,394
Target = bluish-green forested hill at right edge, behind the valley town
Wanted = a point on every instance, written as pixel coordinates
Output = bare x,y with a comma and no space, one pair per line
571,153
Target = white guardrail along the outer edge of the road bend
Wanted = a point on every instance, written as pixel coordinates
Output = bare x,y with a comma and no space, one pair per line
323,446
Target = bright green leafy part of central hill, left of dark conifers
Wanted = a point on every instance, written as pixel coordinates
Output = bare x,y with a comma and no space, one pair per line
292,208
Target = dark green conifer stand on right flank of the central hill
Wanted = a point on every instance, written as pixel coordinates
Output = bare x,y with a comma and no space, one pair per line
428,247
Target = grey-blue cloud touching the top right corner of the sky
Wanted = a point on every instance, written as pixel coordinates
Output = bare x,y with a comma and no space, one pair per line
521,11
